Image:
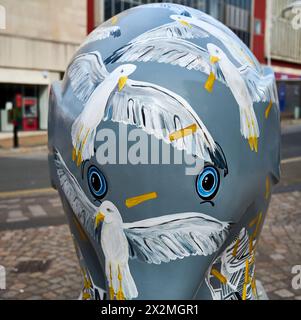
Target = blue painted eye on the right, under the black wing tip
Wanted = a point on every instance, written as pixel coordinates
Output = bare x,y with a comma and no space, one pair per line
207,183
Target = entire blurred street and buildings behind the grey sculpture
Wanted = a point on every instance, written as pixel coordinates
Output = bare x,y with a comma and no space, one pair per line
40,38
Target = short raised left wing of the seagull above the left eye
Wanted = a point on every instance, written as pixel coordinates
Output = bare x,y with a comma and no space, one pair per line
85,73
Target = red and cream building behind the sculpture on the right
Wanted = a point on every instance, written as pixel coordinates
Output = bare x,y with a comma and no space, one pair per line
277,42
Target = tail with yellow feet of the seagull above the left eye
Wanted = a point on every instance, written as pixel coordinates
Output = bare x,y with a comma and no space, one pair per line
82,141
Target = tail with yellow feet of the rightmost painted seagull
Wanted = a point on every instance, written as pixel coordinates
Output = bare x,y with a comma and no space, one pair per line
249,127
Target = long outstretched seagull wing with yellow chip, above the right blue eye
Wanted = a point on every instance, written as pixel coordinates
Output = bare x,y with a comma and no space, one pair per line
161,112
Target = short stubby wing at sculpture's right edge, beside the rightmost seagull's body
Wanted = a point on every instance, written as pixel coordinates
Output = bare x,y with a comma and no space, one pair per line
261,87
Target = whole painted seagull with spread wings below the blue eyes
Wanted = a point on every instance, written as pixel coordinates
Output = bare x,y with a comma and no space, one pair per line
156,240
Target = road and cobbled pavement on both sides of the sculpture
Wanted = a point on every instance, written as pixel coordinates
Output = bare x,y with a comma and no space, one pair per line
37,250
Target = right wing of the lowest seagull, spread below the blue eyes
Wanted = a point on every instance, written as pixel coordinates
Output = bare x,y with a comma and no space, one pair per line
175,236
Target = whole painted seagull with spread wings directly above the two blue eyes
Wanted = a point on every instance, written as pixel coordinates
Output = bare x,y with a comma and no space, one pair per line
154,109
